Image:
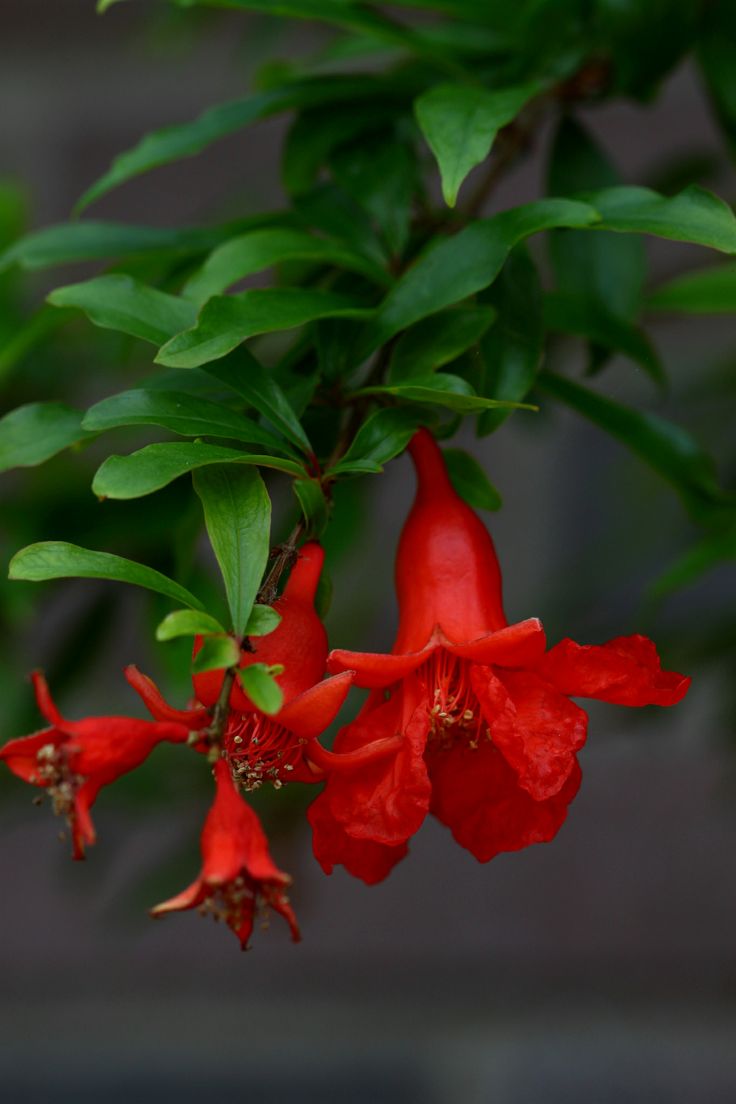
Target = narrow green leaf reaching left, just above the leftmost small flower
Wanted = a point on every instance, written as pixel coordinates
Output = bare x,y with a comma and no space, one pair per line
59,560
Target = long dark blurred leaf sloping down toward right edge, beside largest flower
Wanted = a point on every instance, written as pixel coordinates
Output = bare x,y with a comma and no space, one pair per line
666,448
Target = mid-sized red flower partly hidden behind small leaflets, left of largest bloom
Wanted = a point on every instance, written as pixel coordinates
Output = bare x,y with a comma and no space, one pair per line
282,748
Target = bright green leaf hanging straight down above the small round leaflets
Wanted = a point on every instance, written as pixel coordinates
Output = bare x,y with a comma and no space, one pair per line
238,516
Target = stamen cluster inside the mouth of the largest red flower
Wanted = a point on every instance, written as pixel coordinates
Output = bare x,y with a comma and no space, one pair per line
455,714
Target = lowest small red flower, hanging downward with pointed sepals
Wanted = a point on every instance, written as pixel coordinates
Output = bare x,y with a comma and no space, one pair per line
239,875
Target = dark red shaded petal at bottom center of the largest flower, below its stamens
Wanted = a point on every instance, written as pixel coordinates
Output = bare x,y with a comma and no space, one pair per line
478,797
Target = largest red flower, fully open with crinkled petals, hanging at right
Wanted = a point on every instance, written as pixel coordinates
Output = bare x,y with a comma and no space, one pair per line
488,736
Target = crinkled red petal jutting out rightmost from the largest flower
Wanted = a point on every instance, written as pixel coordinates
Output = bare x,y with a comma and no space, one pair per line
626,672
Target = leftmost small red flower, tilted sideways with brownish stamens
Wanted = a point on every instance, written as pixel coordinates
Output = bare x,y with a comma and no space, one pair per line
73,760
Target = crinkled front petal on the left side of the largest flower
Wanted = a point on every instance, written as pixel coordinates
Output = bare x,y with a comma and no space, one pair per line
385,801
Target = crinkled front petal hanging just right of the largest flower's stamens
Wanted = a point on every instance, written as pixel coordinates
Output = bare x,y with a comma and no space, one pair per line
536,728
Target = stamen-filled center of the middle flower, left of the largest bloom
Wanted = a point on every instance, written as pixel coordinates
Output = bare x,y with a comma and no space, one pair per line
260,750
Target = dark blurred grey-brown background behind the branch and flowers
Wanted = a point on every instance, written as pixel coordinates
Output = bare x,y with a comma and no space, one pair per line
599,969
